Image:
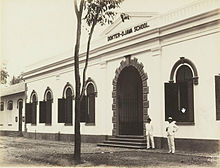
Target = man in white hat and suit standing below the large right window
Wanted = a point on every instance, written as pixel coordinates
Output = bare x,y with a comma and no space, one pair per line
171,129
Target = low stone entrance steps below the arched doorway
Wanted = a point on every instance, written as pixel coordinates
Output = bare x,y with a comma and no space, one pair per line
125,141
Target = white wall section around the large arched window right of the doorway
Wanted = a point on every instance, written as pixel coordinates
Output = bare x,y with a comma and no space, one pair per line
204,53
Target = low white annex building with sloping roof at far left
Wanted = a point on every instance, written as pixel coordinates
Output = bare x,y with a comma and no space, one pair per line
12,108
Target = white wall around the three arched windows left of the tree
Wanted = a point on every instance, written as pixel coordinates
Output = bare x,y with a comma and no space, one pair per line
56,82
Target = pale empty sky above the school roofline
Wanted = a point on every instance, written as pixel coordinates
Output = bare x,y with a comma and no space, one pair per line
34,30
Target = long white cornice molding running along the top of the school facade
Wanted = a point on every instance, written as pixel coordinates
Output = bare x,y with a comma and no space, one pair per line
177,21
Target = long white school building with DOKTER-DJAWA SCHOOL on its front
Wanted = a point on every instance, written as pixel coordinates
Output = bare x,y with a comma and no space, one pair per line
148,66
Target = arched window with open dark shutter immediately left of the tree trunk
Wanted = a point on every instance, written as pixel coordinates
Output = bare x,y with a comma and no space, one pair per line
65,106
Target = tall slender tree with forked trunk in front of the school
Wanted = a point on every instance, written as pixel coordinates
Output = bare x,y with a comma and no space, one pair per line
97,12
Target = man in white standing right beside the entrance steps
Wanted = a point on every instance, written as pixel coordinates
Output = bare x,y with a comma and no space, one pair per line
149,134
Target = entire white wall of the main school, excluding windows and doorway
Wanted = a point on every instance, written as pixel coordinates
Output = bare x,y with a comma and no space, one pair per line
199,46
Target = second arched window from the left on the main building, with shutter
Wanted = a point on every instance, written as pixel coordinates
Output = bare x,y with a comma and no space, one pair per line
46,107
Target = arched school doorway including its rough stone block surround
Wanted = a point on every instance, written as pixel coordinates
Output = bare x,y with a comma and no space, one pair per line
130,98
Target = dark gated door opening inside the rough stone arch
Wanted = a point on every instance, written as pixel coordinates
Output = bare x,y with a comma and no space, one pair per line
130,102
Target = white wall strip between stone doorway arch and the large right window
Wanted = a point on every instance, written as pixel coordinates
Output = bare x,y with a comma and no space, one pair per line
152,66
